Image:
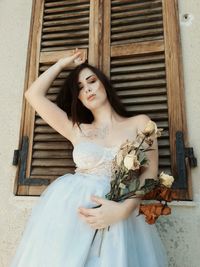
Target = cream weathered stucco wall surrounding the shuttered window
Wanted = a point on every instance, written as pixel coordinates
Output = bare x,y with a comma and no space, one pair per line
181,230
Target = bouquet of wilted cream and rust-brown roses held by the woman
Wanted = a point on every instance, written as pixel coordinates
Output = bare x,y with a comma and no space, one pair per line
126,170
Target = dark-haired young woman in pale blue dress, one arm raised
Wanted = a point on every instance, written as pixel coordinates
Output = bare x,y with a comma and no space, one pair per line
61,227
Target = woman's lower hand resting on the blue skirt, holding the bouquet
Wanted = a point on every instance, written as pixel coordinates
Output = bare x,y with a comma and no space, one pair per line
110,212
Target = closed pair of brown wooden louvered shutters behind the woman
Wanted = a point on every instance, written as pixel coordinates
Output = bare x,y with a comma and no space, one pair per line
136,43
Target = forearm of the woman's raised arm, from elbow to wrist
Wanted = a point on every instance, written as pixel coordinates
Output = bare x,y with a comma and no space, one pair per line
41,85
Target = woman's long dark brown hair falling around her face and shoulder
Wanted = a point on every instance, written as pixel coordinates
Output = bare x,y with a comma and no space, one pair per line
68,101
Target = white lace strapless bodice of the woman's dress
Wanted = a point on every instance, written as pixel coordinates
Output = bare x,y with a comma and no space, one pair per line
93,158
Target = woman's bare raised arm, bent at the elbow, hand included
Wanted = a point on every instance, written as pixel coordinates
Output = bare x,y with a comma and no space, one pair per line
50,112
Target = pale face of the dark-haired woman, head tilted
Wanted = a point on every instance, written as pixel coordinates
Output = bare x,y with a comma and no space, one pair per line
89,85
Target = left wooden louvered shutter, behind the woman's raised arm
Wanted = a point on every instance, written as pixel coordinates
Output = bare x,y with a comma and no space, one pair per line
57,27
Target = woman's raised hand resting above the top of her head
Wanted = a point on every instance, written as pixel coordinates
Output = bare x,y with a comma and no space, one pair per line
77,58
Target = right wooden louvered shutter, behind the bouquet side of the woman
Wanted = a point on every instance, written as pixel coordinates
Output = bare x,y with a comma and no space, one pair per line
141,55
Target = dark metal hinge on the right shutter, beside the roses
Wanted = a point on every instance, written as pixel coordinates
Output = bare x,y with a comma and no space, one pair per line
182,153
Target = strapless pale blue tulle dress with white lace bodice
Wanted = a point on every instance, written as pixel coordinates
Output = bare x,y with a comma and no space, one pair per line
55,236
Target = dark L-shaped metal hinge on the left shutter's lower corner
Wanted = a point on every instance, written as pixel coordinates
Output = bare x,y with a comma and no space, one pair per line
20,157
